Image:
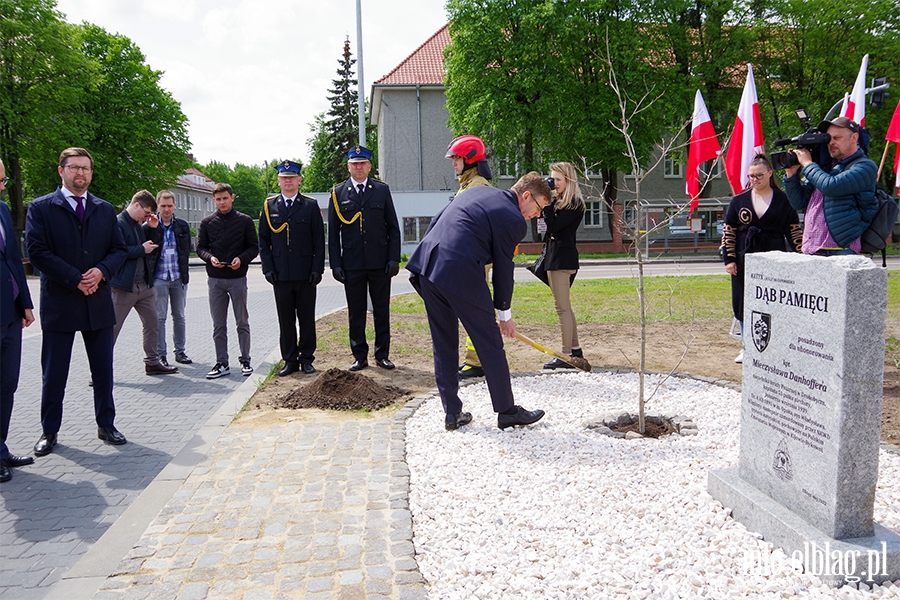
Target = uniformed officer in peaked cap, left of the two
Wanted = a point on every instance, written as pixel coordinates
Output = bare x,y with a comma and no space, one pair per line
292,251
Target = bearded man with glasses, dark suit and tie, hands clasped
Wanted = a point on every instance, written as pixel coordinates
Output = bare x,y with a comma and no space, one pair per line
74,241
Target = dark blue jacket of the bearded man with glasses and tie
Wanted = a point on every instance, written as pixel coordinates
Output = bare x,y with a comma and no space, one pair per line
63,248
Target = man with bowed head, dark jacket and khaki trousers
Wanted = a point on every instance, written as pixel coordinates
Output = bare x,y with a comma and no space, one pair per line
132,287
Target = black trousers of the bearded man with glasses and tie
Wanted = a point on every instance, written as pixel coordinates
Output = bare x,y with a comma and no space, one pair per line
56,357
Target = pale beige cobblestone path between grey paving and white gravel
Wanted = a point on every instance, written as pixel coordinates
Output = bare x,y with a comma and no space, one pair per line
312,509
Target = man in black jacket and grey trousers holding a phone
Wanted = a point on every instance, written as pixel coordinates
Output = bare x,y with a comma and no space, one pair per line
227,243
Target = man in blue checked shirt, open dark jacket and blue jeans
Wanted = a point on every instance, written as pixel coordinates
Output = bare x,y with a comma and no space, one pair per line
172,275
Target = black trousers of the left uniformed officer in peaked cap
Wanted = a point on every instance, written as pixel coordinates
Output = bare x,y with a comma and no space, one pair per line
295,303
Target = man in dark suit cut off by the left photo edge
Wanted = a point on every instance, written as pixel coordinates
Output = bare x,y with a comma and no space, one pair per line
15,314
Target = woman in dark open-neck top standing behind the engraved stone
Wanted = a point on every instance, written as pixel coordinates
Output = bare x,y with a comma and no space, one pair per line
758,219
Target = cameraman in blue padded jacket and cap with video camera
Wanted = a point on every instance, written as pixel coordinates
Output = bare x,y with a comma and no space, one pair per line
839,202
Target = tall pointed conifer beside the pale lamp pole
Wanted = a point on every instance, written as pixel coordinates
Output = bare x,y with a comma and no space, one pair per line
336,131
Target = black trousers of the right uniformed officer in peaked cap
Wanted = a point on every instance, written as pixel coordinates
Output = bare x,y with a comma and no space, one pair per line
357,285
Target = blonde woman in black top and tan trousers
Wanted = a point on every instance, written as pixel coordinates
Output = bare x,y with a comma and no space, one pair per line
562,217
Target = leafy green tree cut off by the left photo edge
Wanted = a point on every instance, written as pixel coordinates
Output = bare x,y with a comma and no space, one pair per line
42,81
